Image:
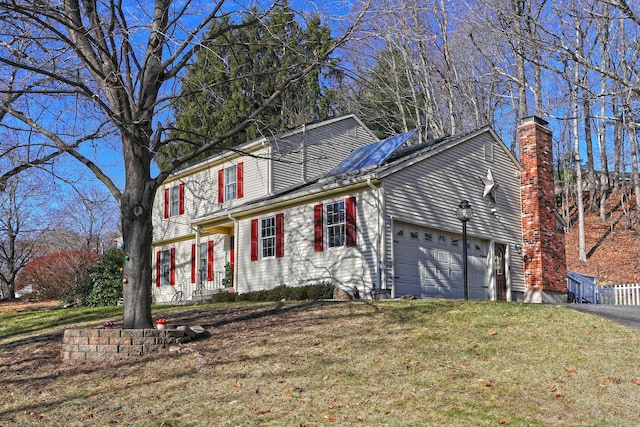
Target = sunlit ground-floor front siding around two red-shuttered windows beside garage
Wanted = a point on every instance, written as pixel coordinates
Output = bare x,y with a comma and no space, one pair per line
345,267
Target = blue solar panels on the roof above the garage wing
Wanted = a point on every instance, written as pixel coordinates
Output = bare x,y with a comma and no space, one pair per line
371,155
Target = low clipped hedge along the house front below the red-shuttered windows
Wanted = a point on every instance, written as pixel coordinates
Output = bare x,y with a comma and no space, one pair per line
290,293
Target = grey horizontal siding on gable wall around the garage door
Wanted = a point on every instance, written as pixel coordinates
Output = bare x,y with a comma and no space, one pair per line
428,194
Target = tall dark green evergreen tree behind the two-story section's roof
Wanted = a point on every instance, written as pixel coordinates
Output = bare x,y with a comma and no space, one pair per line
240,70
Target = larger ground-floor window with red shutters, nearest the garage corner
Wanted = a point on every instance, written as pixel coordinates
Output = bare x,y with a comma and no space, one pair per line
335,224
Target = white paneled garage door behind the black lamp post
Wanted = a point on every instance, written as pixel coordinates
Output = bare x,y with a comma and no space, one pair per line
428,264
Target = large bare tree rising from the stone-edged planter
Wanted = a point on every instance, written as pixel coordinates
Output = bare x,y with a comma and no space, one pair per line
86,72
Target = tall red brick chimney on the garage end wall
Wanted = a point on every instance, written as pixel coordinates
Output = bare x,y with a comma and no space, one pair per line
545,272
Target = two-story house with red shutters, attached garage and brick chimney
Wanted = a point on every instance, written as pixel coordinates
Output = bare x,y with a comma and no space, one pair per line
329,202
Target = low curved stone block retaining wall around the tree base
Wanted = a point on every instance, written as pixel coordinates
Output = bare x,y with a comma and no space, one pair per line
101,344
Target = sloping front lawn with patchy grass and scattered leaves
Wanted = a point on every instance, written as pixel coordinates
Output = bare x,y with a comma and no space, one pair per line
397,363
